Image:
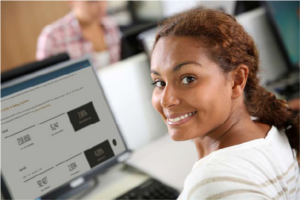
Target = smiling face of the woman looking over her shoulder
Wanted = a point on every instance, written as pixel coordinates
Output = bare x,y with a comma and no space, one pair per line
191,93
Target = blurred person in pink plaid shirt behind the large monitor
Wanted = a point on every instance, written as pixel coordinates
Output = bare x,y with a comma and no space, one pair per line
87,29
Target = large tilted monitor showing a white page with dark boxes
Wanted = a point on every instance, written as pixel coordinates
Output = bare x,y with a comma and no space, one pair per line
55,127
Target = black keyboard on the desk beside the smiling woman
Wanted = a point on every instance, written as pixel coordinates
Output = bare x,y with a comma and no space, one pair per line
150,190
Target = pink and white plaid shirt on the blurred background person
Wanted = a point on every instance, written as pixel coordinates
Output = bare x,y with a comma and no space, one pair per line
65,35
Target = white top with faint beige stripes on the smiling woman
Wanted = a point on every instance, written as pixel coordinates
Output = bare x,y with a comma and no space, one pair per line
259,169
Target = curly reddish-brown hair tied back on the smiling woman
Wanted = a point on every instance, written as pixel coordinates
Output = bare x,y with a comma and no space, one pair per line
229,45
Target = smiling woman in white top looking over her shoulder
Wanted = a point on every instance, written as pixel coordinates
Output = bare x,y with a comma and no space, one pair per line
204,66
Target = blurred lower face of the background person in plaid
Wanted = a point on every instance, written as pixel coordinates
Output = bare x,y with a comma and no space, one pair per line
89,10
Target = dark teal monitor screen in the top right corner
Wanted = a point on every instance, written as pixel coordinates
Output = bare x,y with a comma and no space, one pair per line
284,17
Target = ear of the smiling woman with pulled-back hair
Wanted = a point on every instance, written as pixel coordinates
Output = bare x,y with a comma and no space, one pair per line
239,79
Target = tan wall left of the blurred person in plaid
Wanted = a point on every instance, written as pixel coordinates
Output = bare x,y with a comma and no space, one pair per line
21,22
